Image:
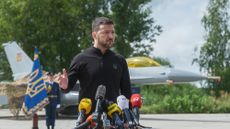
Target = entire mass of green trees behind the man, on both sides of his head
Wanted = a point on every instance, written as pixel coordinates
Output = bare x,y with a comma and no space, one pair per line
62,28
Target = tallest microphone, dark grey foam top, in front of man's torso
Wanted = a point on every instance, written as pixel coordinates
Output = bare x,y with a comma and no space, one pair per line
100,94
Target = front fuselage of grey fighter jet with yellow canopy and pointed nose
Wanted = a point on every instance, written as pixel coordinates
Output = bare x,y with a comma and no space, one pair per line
144,70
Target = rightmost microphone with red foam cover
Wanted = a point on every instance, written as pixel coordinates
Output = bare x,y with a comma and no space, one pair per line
136,105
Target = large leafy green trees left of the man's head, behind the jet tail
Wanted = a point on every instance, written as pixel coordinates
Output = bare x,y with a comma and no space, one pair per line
59,28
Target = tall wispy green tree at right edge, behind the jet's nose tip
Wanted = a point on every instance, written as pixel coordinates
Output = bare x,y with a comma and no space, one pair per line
215,53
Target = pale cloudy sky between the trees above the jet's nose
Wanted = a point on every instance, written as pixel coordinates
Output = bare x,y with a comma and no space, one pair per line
182,30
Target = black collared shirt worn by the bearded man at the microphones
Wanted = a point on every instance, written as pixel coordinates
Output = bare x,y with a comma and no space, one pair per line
92,68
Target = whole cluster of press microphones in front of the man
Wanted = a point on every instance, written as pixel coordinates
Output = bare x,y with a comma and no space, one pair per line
104,108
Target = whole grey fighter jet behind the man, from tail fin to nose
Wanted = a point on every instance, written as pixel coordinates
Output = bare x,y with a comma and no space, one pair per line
142,70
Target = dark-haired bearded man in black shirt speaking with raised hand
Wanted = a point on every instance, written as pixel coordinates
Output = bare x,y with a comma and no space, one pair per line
98,65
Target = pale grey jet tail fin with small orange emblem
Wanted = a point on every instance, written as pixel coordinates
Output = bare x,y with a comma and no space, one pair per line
20,63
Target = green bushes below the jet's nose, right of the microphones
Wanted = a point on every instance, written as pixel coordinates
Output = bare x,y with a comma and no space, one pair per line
184,98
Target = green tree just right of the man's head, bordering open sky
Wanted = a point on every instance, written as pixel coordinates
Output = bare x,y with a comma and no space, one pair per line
134,25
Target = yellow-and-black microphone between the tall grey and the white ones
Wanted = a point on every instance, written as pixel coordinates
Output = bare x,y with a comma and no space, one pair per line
113,112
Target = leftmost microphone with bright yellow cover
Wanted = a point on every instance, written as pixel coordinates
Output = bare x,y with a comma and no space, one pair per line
84,108
